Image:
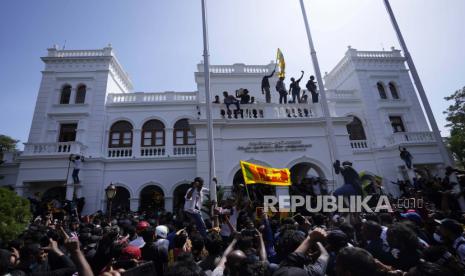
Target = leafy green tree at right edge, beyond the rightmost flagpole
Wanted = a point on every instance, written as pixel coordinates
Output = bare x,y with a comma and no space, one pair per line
456,121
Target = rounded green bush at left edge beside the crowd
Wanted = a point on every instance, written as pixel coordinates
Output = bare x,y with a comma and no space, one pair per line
15,214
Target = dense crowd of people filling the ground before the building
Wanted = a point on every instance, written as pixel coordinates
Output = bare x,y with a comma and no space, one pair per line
238,238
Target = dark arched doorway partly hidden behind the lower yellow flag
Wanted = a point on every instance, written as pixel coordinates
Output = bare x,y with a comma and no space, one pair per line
255,192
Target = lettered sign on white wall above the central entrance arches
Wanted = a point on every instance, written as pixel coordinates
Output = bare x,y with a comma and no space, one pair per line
275,146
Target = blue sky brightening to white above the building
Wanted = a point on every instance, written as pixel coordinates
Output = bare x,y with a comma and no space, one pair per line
159,42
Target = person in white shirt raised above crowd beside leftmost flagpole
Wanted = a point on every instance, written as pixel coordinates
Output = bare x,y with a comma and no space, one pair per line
193,204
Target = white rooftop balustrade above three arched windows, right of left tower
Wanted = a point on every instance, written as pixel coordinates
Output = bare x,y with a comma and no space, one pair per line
151,98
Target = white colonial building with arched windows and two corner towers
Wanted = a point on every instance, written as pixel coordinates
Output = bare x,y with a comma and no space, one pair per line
150,145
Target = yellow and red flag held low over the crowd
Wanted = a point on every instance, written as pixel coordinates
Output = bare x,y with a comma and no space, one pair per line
256,174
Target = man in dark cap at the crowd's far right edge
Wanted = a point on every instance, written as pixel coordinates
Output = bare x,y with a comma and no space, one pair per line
452,233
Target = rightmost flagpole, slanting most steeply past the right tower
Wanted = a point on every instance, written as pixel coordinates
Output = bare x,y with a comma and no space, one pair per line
420,89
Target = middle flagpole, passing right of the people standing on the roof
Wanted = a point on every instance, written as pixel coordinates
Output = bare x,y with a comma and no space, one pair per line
321,88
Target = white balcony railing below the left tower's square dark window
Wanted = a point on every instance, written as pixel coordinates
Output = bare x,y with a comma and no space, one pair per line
60,148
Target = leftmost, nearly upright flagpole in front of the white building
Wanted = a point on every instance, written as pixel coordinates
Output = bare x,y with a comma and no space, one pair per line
206,72
